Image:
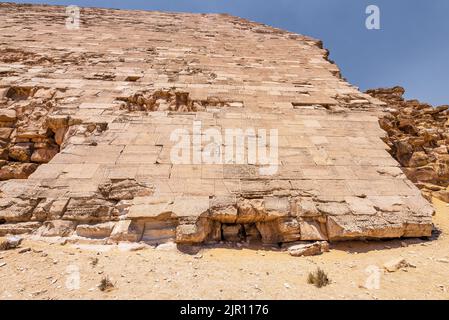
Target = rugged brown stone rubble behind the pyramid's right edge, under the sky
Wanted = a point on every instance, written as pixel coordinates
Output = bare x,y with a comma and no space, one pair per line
418,137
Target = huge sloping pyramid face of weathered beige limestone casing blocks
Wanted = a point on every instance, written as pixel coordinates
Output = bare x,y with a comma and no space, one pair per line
88,116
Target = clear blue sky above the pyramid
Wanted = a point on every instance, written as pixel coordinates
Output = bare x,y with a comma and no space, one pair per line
411,49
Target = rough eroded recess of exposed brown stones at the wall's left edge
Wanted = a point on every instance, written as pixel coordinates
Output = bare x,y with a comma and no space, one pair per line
31,132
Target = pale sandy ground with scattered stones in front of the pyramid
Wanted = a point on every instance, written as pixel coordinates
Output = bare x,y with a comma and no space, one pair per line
54,271
